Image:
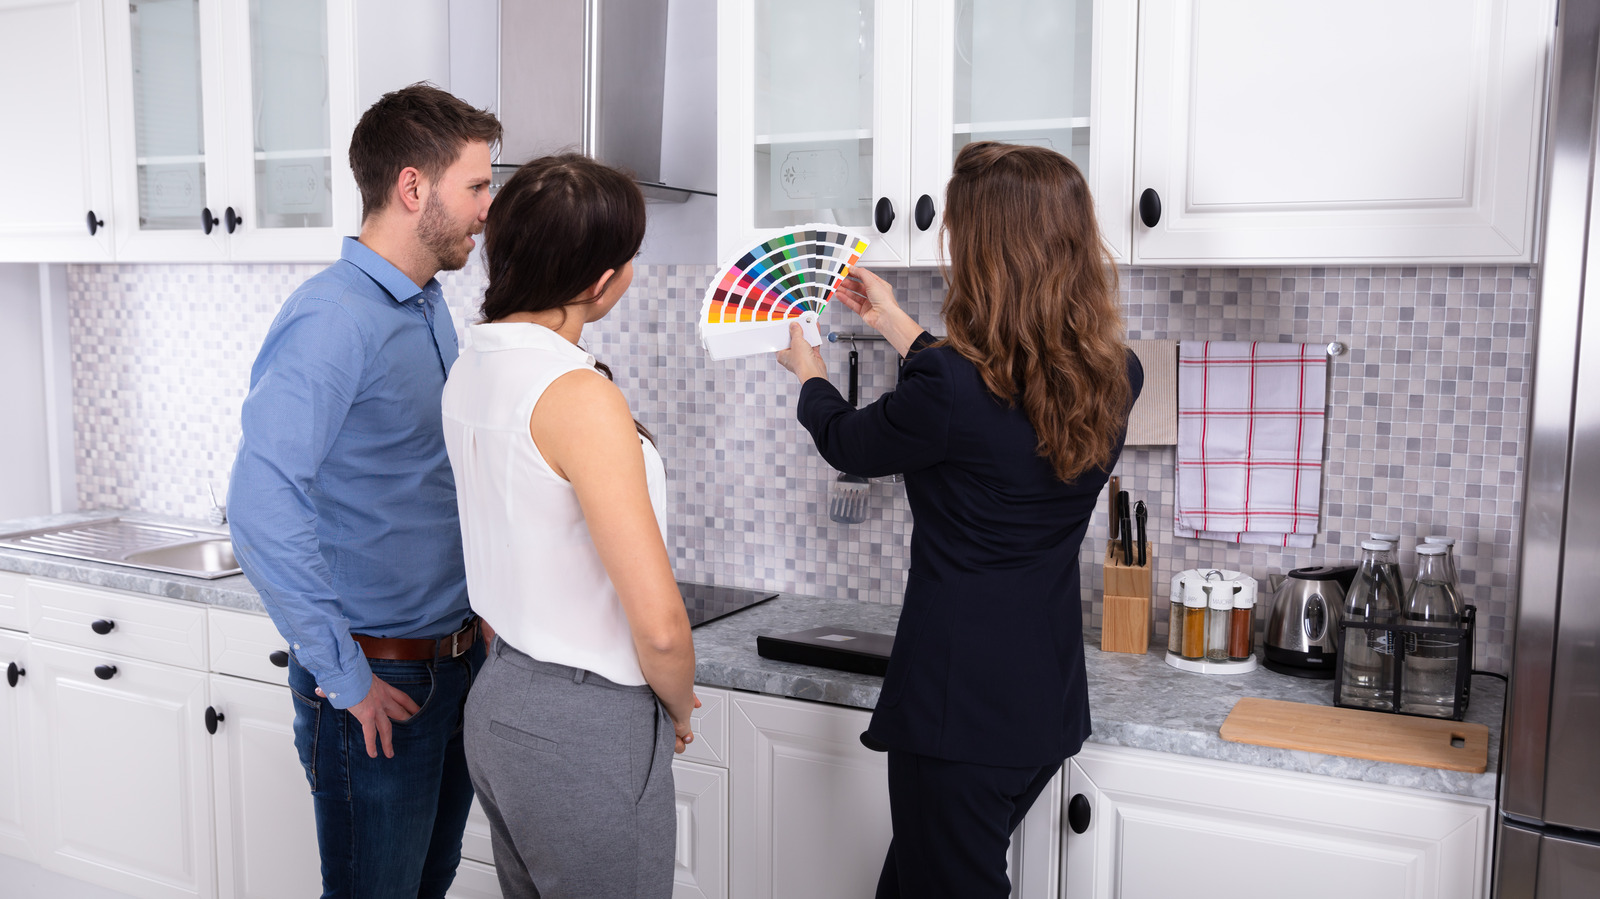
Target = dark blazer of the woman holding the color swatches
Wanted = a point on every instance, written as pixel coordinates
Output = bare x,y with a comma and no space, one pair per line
988,663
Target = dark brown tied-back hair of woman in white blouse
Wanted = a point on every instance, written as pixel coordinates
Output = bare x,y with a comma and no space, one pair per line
554,228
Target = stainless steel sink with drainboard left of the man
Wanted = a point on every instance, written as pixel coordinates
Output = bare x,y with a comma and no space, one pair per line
153,546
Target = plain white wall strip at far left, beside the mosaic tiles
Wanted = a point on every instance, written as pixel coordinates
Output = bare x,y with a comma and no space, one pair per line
25,447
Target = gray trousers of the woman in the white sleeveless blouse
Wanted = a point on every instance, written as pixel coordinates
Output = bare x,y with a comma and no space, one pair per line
575,775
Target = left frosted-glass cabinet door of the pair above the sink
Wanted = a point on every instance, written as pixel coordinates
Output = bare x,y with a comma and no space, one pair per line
167,135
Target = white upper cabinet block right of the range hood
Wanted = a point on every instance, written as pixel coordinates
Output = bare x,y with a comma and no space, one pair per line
1212,132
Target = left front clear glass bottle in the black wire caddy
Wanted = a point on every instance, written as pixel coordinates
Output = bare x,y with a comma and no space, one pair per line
1367,669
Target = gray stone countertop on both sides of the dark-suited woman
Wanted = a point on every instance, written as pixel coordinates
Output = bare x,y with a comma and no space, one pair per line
1135,701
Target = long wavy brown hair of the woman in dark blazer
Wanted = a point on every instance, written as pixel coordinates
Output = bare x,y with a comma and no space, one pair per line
1033,298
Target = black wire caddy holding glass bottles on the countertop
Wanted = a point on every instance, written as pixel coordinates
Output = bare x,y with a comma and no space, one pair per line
1393,642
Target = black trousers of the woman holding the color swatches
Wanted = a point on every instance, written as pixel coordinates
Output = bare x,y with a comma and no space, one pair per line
953,826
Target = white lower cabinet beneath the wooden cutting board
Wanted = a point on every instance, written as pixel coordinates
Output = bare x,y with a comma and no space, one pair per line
1174,826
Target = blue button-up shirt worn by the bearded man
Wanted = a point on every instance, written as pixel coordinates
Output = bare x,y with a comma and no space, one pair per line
343,505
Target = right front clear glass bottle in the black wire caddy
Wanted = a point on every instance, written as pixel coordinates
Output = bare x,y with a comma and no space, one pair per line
1430,682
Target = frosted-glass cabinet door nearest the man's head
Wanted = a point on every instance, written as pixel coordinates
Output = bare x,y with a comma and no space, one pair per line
290,122
